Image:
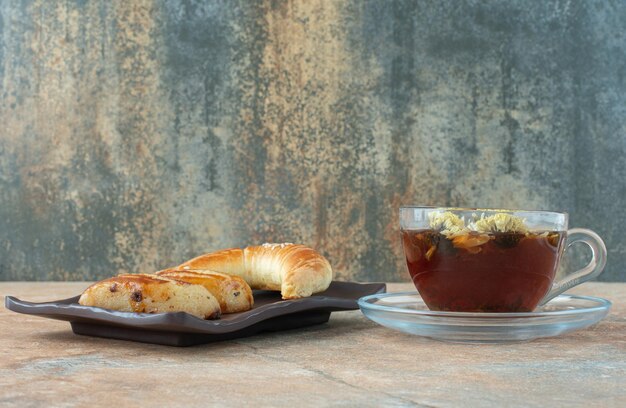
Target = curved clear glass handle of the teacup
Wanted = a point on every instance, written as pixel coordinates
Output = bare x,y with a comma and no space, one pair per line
593,269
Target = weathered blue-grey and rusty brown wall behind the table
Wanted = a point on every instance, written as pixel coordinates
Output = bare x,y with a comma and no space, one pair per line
136,134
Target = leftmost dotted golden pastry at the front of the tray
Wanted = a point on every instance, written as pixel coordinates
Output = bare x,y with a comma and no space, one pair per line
151,294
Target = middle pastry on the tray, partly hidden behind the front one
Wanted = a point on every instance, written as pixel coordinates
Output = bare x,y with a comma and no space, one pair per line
232,292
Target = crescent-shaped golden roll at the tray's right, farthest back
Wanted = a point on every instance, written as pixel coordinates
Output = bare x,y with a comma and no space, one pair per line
296,270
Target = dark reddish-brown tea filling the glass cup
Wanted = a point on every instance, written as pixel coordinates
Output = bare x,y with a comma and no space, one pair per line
474,272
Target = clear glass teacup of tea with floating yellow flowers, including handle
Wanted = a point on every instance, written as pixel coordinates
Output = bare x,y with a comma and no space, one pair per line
487,260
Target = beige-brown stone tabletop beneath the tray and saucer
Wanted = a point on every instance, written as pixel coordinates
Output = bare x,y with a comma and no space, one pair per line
349,361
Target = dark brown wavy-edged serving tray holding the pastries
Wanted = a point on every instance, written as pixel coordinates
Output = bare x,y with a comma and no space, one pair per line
270,313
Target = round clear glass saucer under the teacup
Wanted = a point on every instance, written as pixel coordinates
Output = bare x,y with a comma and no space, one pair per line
408,313
